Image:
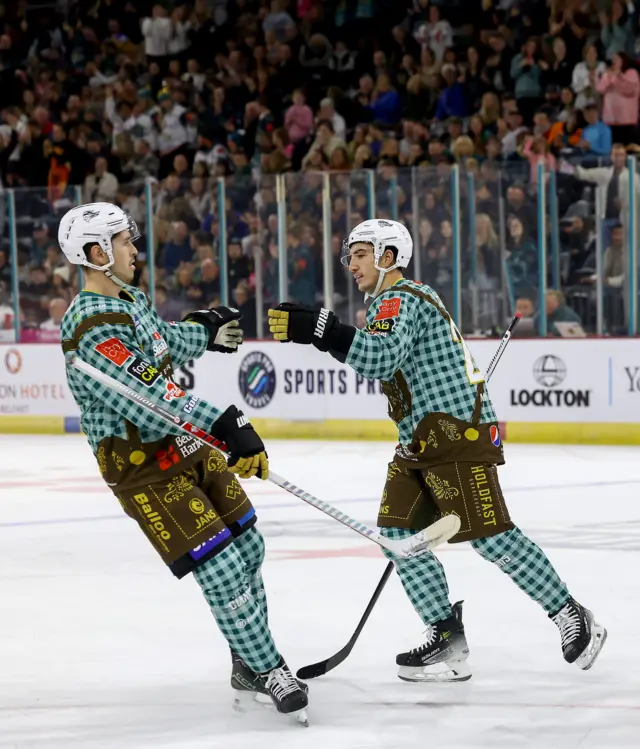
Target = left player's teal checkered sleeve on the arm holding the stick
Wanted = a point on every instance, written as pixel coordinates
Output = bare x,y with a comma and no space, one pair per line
113,350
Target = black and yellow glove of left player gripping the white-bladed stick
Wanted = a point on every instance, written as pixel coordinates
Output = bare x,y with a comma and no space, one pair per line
247,455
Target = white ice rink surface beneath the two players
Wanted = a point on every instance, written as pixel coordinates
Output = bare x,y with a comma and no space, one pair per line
101,647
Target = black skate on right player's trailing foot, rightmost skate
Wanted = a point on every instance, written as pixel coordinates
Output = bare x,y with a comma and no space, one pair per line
581,636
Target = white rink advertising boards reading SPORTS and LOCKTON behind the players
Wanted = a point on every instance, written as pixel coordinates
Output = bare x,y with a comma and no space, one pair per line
552,380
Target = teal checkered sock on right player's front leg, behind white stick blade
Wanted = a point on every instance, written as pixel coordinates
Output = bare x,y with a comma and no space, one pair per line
423,579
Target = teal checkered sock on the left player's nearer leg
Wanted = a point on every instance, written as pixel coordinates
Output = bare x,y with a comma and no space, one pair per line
226,584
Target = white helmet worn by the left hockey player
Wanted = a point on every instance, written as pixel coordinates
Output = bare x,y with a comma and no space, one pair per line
93,223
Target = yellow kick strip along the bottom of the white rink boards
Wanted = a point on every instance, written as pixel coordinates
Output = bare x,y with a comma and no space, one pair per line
383,430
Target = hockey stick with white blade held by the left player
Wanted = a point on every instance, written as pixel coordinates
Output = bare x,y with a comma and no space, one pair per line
436,534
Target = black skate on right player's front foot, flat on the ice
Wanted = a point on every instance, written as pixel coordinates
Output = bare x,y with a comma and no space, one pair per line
442,657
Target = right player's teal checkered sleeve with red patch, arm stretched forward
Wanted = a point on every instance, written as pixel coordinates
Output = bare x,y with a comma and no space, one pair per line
381,348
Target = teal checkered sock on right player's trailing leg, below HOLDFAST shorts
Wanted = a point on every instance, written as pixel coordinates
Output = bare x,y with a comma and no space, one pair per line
527,565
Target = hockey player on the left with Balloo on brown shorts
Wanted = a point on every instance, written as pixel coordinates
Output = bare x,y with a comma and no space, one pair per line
184,497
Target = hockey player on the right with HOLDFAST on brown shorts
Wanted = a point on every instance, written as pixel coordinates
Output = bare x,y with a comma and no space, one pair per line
449,447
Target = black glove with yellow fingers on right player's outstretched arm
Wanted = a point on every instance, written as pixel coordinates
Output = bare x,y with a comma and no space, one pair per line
293,322
